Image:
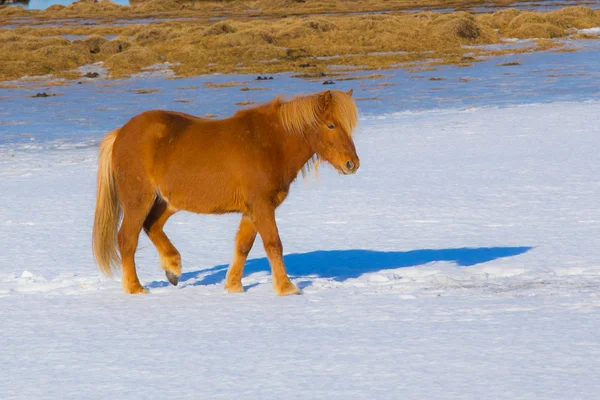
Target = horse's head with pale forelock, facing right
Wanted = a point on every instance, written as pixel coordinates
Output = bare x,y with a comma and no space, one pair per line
333,139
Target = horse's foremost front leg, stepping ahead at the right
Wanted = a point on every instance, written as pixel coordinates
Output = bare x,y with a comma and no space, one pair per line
264,220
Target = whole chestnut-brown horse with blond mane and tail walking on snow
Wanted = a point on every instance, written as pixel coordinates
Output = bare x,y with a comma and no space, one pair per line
161,162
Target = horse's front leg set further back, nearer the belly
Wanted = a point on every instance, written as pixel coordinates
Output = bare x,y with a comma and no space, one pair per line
244,239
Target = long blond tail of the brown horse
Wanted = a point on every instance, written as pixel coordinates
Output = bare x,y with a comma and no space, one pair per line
108,210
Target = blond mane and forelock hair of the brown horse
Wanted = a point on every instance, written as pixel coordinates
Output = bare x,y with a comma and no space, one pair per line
303,113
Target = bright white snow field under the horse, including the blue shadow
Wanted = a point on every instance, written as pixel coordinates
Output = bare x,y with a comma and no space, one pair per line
460,262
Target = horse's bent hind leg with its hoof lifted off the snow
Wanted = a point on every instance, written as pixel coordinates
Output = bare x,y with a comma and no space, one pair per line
170,260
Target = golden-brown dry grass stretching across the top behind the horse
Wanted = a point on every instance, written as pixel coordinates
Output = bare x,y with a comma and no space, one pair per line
270,44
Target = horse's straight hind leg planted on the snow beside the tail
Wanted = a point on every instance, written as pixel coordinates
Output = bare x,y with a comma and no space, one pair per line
135,208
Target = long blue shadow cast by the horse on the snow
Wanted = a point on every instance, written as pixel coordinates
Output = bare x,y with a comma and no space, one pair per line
345,264
